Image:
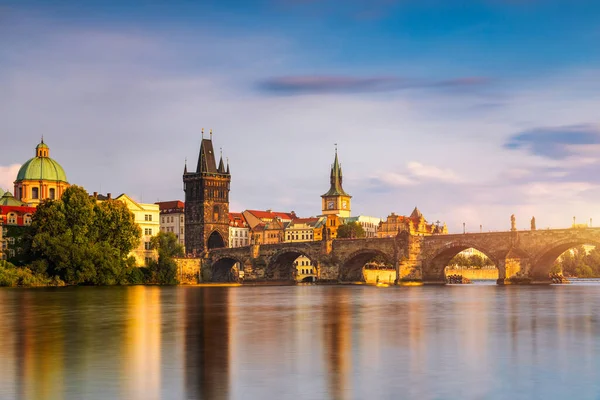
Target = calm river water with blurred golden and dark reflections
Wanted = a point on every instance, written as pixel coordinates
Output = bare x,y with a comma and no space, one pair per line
305,342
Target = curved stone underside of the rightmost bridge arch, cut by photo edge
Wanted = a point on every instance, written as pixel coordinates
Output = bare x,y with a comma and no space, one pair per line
544,260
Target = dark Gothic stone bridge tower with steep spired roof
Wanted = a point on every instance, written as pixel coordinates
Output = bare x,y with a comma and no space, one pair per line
206,202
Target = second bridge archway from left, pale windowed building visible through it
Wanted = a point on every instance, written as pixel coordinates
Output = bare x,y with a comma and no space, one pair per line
291,266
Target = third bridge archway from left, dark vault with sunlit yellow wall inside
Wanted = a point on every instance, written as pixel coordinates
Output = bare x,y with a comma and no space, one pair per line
370,266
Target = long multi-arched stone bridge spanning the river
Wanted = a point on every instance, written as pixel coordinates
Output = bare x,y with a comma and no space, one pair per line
520,256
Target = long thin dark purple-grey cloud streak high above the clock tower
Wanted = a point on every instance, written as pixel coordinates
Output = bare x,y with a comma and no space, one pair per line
326,84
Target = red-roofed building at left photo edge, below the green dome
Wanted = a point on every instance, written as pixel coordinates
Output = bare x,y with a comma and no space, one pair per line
14,215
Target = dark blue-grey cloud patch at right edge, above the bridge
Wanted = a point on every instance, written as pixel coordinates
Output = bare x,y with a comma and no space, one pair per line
557,142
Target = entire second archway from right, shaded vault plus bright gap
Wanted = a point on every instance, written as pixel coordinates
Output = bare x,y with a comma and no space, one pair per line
458,260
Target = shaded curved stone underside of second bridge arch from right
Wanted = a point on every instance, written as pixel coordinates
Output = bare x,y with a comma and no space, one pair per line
434,267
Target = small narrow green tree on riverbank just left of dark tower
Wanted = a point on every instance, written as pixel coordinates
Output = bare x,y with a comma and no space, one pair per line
164,271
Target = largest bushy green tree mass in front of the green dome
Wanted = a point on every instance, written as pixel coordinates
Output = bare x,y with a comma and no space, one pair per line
82,242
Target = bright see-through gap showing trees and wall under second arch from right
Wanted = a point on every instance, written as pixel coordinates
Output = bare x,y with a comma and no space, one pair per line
471,266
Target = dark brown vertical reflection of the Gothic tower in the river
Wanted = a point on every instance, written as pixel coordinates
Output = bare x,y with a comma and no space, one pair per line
207,343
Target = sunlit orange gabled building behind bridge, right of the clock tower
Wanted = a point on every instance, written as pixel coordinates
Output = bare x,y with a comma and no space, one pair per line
415,224
